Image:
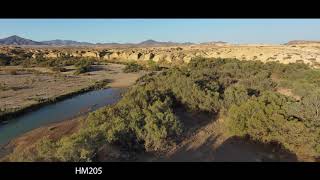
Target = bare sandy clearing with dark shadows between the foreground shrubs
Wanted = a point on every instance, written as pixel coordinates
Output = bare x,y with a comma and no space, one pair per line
207,141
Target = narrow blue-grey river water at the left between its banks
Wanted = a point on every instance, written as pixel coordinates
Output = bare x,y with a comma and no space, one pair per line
58,111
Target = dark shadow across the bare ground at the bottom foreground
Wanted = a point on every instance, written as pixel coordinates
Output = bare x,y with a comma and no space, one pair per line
233,149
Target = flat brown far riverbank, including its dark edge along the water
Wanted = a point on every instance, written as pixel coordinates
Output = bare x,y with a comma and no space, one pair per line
27,91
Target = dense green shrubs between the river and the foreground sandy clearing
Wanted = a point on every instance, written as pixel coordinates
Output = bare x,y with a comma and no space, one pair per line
142,120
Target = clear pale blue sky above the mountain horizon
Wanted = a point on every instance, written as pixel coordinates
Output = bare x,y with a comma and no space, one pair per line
274,31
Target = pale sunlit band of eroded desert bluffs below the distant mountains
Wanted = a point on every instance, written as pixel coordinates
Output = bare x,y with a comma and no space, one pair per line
306,53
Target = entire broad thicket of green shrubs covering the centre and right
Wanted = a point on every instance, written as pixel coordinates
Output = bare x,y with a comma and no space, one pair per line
243,92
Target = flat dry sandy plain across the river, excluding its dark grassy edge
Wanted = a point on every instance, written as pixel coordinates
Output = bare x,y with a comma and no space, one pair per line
28,88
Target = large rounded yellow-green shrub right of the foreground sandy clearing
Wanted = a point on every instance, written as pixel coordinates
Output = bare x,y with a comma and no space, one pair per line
266,119
